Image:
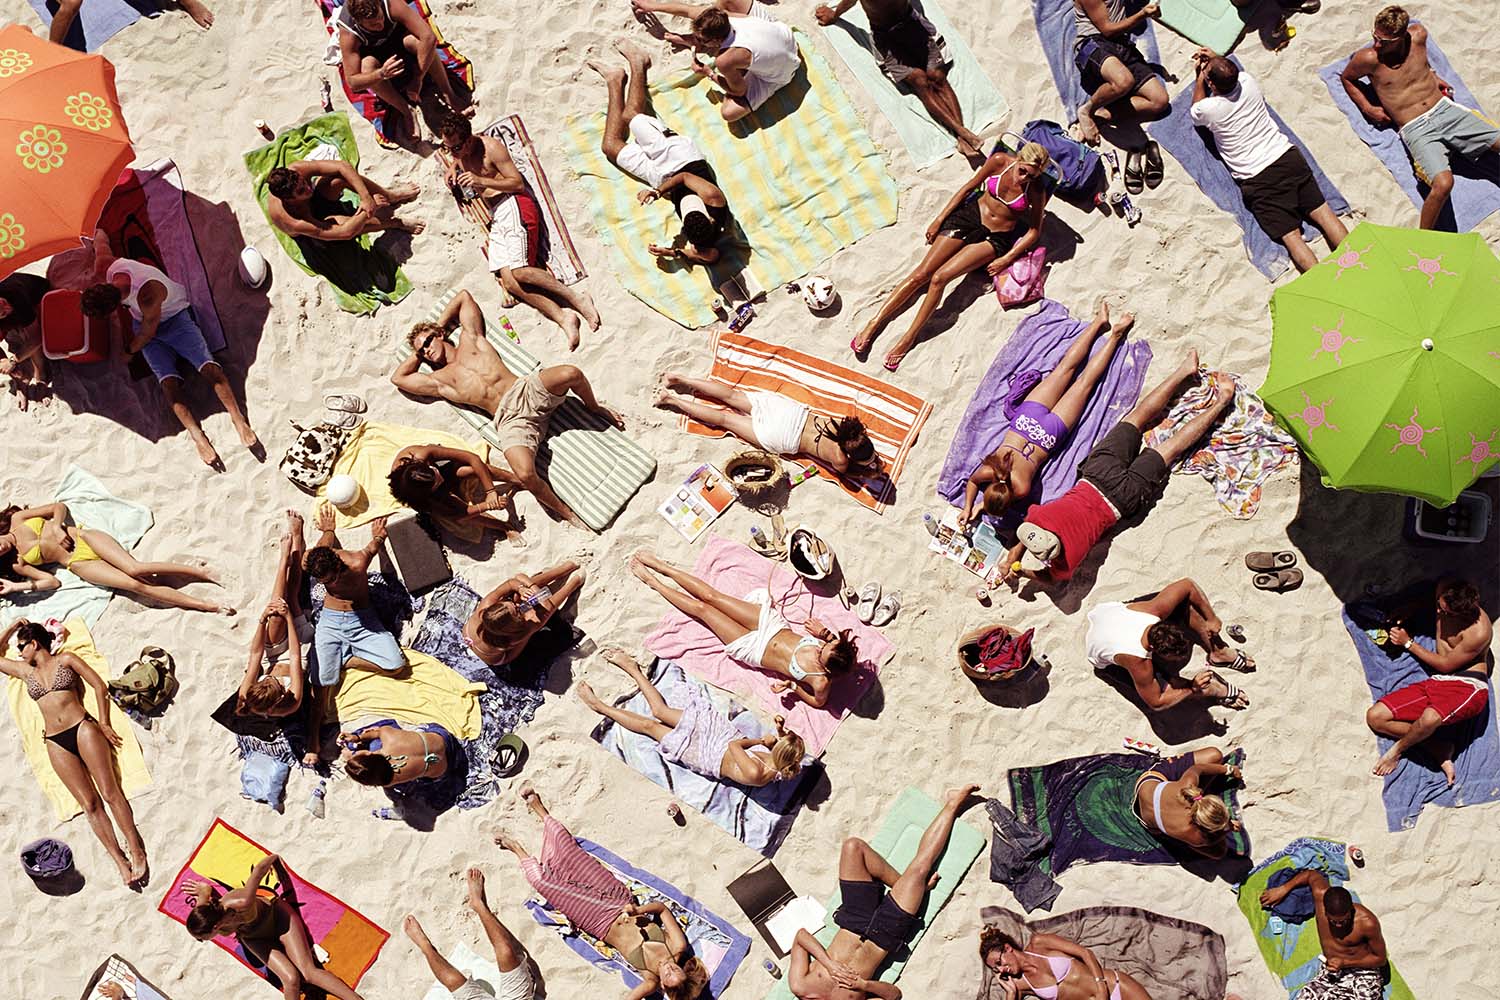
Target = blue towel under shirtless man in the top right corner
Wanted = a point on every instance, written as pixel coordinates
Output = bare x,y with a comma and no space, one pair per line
1477,185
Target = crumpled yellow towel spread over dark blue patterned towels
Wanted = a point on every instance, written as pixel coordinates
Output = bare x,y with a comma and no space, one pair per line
430,693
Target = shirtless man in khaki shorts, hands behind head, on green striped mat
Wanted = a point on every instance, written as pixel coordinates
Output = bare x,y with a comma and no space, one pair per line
472,374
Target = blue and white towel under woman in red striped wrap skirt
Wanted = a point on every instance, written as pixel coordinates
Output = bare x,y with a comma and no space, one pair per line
713,939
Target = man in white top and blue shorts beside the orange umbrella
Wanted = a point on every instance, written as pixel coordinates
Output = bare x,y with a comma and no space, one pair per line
164,332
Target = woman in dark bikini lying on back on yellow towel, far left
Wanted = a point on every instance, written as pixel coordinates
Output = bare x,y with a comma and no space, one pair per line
80,749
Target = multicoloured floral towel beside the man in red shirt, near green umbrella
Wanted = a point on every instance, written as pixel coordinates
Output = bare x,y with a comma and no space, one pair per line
1243,452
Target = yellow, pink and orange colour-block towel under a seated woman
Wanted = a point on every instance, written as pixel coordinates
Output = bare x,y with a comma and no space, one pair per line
226,857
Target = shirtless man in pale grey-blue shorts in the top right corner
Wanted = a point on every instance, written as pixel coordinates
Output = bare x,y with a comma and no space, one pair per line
1420,104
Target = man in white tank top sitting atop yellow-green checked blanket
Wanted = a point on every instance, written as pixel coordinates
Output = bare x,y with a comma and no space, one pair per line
754,55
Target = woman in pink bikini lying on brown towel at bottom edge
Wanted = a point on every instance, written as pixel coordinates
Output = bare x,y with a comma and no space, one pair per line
1054,968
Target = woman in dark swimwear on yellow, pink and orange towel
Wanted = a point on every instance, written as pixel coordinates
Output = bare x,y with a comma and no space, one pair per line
271,929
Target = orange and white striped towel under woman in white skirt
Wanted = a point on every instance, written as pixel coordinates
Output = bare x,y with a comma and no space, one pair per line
892,416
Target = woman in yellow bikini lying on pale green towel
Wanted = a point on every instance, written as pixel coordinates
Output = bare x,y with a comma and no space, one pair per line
41,536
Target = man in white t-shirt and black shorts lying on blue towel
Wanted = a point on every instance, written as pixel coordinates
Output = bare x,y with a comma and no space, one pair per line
1273,175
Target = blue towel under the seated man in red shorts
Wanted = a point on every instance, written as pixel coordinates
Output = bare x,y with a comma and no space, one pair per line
1415,782
